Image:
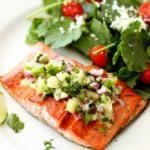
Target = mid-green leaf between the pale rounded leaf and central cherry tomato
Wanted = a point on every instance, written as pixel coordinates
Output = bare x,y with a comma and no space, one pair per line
86,41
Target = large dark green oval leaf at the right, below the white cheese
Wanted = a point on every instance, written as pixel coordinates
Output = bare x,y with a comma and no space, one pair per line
133,46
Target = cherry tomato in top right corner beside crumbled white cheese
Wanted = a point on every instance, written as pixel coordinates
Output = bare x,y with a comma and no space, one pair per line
145,12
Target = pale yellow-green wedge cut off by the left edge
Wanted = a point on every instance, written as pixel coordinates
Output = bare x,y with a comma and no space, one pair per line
3,110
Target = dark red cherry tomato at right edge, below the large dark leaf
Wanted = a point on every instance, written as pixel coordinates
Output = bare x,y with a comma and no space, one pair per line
145,76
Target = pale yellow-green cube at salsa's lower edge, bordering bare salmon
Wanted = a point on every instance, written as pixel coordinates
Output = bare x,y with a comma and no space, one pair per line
72,105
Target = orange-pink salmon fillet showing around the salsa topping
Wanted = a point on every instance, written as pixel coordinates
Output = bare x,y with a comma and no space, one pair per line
64,122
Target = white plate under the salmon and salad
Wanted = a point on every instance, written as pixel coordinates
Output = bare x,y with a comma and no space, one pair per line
13,29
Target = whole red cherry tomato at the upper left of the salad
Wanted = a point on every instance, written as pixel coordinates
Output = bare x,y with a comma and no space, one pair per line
71,9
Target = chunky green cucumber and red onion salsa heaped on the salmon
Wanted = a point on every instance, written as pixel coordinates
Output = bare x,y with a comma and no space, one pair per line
90,94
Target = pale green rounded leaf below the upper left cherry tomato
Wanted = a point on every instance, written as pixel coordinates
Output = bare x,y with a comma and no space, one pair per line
57,39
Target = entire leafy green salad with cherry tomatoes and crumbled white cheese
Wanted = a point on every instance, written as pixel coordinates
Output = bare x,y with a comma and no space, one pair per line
115,35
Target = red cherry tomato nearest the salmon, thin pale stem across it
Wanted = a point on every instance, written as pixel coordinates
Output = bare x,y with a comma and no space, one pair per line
100,58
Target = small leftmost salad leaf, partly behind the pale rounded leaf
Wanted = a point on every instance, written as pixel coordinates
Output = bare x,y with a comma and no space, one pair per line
32,36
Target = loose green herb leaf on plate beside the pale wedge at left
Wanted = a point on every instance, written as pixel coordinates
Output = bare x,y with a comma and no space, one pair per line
14,123
